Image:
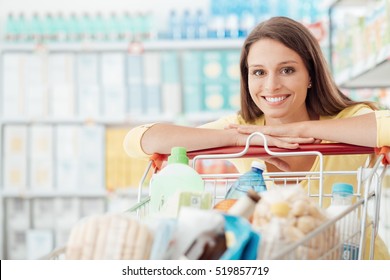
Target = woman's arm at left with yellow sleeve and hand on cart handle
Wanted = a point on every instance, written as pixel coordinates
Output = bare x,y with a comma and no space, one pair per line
143,141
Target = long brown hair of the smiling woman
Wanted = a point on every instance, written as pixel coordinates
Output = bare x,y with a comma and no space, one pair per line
324,98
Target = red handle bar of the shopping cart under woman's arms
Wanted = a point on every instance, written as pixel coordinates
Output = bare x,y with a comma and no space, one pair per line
259,151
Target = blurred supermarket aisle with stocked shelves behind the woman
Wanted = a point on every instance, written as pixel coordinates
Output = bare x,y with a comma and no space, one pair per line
74,79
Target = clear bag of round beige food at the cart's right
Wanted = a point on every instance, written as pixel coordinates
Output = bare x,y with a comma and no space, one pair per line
285,215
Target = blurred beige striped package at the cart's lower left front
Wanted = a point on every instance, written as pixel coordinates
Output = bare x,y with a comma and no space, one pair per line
109,237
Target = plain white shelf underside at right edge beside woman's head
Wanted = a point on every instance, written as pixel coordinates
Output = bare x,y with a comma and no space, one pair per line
372,73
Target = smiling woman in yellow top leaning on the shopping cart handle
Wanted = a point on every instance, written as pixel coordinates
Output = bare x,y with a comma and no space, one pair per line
285,83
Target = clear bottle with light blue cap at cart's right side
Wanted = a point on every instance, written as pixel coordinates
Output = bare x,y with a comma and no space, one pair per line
348,226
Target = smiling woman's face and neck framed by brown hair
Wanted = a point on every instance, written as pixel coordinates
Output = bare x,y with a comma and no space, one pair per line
278,82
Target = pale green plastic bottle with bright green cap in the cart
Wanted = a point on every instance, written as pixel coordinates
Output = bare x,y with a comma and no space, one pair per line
176,176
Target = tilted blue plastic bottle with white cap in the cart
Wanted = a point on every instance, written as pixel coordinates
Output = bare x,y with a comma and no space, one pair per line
253,179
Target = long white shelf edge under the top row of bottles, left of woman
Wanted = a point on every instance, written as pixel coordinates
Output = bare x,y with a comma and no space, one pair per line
161,45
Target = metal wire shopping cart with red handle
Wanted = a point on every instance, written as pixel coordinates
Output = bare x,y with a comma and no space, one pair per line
326,241
